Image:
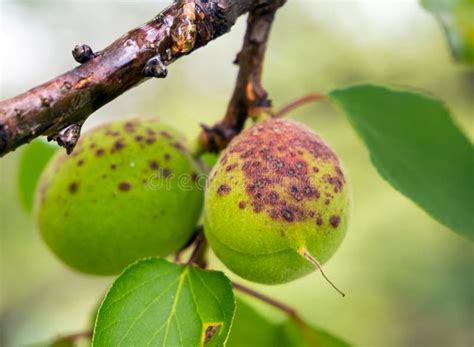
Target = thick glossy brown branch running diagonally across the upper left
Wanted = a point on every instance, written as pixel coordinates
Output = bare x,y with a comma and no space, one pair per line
59,107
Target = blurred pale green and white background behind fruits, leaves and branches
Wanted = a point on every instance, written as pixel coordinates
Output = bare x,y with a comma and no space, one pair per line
409,280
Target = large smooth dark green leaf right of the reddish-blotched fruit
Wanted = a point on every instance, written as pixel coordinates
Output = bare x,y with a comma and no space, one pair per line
416,146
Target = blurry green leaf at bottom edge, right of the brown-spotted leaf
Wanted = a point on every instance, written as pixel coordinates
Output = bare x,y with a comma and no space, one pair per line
252,329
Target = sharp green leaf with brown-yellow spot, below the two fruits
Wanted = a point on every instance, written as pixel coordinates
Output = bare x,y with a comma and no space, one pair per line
157,303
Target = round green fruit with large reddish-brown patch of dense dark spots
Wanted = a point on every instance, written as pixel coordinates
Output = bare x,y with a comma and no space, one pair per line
278,189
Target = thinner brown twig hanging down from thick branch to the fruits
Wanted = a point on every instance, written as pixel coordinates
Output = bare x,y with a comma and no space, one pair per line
249,98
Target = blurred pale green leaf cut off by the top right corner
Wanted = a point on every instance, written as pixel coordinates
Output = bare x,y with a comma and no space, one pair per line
456,17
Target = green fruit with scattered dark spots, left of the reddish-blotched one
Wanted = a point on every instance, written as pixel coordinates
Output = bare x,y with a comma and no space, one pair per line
128,191
